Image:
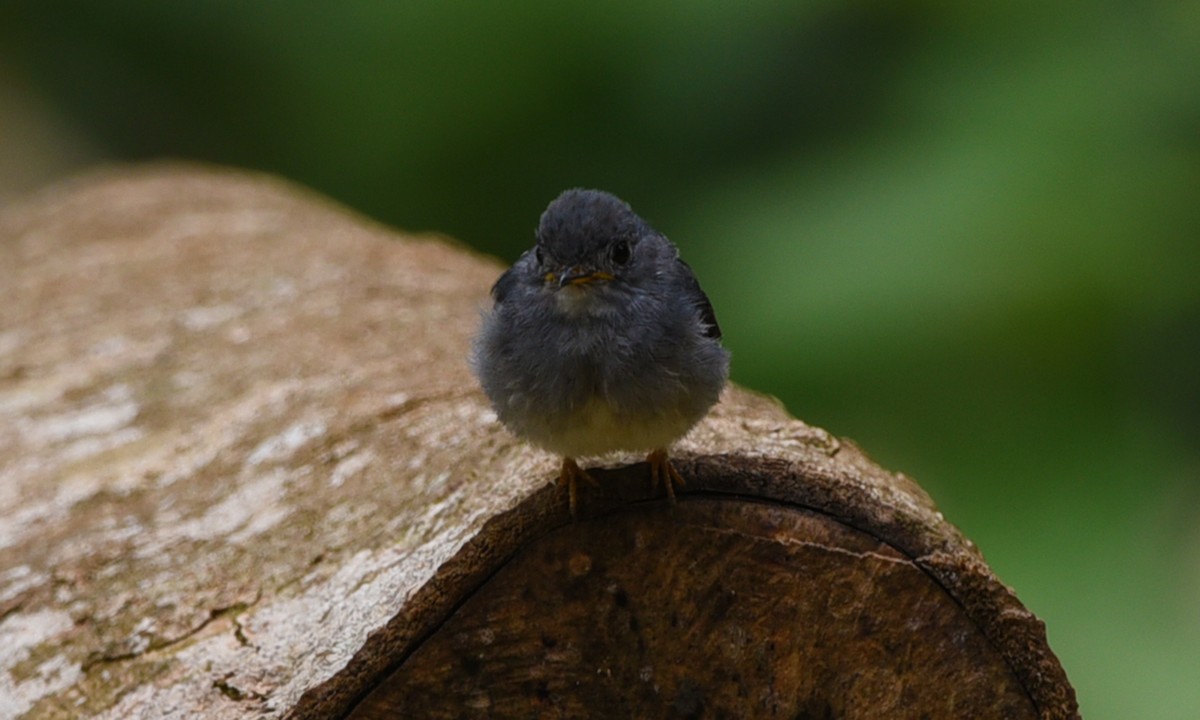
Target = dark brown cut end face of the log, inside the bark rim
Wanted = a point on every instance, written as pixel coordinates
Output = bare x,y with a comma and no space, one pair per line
716,609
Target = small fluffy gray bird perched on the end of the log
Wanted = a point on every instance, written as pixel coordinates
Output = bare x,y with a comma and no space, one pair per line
601,340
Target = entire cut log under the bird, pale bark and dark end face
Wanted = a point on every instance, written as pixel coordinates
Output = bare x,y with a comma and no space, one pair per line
245,472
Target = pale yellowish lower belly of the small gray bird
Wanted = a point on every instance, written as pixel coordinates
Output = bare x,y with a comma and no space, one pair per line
596,429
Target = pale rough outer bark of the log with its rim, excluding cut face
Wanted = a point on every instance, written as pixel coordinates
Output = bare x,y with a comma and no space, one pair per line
245,471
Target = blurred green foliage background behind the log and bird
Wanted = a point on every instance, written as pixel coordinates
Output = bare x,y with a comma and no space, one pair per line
967,236
